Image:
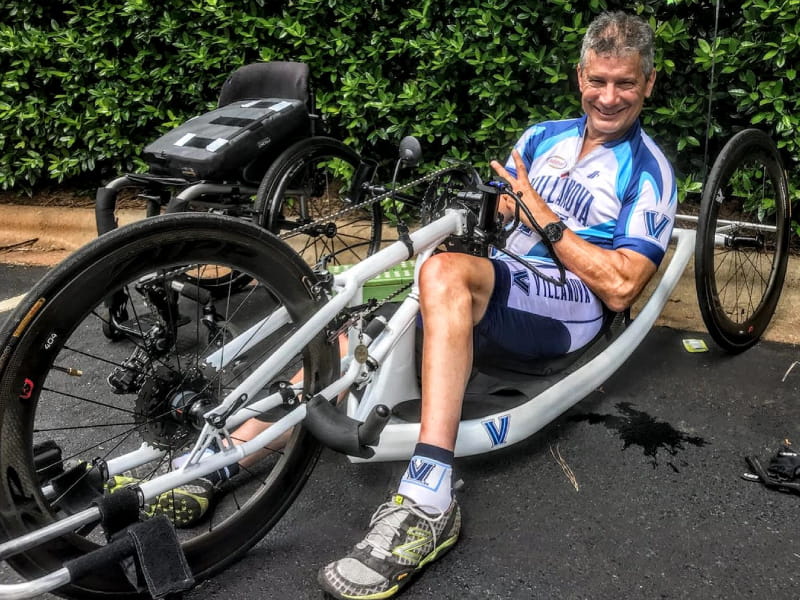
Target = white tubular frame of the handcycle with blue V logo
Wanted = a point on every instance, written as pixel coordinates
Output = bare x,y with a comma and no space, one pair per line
394,380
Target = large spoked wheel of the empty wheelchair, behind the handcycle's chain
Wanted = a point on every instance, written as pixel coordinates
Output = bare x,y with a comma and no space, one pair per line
308,182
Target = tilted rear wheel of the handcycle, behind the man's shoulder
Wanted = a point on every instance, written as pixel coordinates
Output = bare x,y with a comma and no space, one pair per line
739,284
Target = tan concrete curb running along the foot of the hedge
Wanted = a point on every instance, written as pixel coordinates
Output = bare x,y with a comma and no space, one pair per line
44,229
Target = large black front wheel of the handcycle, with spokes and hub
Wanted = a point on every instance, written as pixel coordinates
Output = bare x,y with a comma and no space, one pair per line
89,401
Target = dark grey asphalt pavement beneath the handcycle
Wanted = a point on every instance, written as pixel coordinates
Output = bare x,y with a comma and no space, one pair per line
656,507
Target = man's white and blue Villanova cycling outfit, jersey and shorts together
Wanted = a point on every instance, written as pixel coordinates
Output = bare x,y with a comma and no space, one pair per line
620,195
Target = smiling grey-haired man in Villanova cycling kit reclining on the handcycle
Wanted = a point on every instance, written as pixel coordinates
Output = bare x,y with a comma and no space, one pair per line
605,196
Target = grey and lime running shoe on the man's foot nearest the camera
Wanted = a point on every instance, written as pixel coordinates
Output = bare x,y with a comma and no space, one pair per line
402,539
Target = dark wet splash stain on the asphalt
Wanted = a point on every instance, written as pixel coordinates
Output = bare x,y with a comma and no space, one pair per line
637,428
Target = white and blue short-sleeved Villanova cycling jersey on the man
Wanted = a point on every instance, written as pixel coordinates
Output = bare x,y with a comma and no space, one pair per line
620,195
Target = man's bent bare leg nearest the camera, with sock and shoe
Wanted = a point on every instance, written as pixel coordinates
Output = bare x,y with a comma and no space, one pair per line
422,521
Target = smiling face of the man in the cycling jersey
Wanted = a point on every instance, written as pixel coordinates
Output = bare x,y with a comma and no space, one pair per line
613,90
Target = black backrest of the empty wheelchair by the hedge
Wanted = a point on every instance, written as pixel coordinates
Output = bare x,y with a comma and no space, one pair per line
277,79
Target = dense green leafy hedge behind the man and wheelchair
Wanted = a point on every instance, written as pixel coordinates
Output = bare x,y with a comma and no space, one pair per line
86,86
